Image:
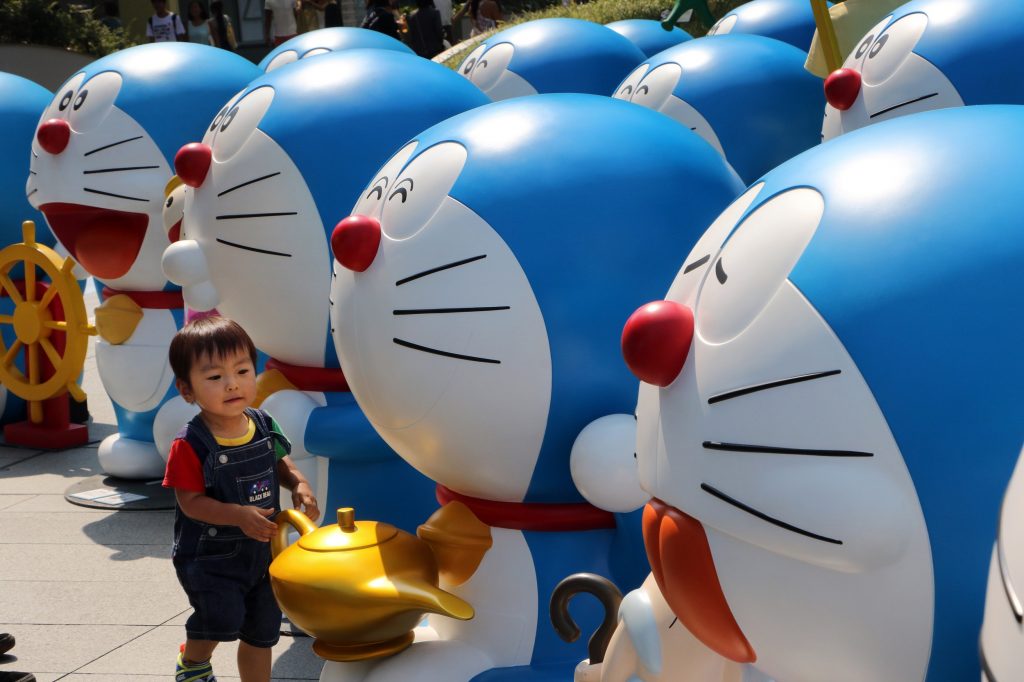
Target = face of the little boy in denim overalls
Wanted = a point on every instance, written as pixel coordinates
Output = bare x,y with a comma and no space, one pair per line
222,387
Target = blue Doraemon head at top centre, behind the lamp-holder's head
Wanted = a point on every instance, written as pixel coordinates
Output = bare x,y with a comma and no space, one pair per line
551,56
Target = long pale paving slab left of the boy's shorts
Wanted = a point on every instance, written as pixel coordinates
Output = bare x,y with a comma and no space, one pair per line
148,604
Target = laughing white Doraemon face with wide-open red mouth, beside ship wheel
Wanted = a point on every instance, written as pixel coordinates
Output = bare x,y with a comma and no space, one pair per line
102,186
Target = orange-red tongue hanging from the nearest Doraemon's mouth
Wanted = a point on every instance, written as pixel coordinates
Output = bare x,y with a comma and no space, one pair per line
680,559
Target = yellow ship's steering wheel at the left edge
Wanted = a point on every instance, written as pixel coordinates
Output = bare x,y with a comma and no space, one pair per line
63,343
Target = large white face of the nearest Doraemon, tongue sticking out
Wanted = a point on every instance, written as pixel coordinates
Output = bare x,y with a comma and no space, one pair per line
771,445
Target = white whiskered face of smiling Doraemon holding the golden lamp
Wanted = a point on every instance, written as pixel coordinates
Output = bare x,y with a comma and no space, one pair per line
442,338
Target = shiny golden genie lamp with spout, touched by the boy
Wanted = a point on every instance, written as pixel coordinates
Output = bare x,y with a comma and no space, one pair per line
360,588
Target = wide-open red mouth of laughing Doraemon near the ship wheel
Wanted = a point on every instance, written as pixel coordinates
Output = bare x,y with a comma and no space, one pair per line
105,242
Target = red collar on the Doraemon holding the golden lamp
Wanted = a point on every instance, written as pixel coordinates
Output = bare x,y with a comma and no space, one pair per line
533,516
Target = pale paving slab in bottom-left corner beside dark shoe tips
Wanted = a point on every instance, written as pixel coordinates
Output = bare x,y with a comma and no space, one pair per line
44,649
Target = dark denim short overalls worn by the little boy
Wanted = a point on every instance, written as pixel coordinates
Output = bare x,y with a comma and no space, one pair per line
223,571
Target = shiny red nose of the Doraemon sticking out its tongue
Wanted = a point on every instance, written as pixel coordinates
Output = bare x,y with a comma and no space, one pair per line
657,340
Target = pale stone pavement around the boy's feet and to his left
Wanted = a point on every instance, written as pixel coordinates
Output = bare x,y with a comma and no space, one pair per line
91,595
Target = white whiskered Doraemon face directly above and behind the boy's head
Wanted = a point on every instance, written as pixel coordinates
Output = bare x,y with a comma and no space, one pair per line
252,241
